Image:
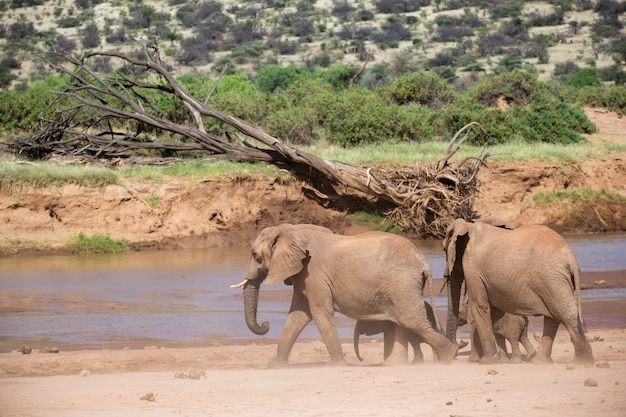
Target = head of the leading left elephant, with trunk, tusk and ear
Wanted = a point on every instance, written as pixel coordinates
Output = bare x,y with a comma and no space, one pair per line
277,254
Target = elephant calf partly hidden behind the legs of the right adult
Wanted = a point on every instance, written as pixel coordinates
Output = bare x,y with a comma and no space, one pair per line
506,326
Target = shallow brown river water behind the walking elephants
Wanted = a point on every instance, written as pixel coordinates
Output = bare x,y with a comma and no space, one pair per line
184,297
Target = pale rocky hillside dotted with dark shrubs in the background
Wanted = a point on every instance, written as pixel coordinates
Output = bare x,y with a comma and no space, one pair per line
451,37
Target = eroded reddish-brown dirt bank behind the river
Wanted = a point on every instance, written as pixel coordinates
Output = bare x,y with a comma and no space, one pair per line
231,211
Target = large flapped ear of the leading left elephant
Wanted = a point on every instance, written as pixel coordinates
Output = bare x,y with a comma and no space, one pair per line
287,252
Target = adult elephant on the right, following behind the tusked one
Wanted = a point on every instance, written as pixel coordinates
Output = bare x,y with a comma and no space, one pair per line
529,271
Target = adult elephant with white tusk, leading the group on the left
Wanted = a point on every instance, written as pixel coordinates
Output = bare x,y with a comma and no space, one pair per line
371,276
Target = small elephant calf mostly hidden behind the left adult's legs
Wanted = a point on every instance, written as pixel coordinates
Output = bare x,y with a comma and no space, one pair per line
370,328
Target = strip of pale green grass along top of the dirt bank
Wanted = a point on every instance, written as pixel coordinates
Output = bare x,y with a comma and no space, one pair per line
15,175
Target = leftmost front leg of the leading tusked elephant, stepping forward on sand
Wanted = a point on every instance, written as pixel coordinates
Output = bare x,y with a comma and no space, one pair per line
298,317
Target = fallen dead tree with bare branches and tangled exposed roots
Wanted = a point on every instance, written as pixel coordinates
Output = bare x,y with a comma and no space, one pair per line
422,198
